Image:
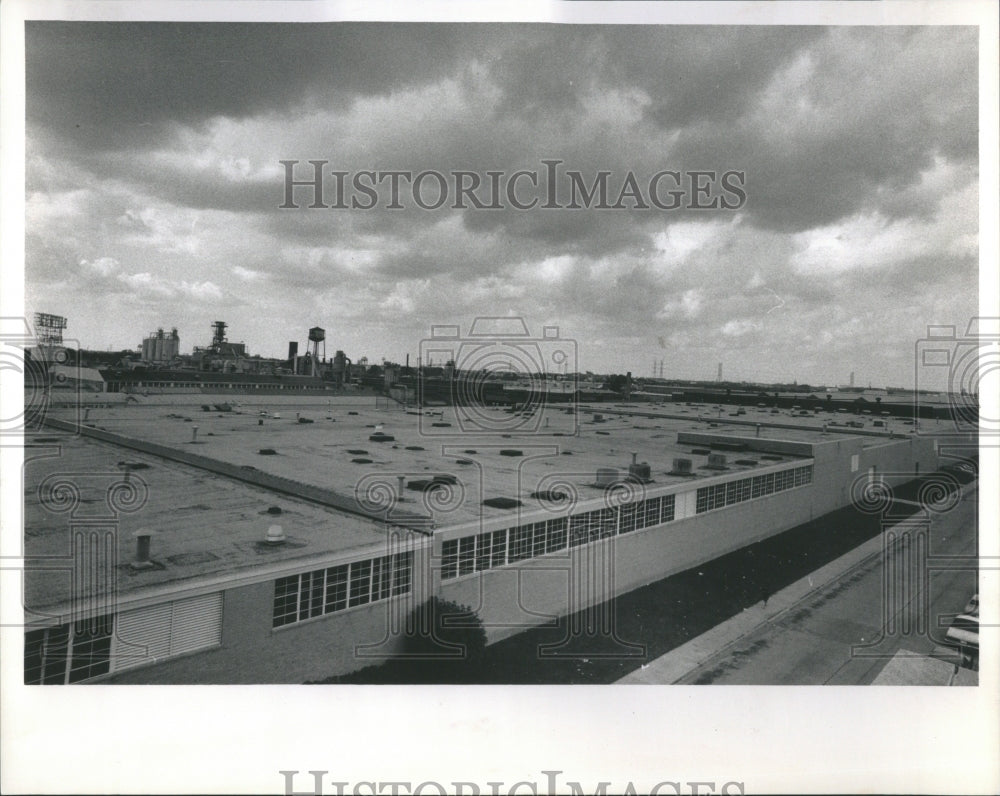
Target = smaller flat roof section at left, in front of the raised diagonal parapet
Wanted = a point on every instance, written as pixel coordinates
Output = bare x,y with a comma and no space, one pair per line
204,524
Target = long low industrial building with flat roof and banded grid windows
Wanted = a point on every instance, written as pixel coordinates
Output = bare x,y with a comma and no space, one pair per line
285,539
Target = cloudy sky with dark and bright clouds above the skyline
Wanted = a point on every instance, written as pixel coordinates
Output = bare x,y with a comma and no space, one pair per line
154,185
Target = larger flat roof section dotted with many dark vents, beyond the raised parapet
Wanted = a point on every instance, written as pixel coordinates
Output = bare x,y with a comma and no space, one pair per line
516,457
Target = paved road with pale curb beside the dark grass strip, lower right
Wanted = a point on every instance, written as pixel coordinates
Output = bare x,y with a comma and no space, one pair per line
846,631
